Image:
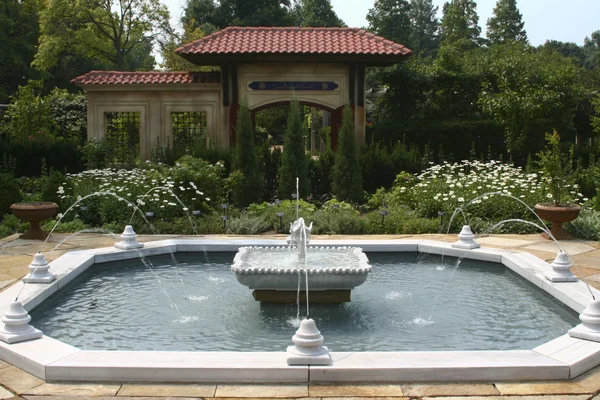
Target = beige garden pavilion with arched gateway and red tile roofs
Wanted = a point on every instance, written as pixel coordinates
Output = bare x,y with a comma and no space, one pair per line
261,67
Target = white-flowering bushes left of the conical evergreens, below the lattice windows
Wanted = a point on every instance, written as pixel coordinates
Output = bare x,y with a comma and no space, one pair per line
168,192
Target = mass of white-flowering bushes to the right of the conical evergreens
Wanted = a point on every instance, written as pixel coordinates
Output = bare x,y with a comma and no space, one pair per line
488,192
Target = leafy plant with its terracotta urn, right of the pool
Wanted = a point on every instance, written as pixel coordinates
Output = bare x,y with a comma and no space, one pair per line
557,170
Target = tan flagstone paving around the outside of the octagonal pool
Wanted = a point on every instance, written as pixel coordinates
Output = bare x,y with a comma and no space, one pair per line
16,255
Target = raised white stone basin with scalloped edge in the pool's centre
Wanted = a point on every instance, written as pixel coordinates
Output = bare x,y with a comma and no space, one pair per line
276,268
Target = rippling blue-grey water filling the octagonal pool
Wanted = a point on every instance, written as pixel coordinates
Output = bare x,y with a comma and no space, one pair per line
410,302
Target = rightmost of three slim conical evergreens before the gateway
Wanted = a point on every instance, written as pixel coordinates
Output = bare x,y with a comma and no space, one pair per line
346,173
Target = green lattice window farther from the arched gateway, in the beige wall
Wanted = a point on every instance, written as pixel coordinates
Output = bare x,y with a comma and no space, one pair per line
123,135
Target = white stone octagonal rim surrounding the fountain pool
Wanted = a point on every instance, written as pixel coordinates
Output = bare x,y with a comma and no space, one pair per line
49,359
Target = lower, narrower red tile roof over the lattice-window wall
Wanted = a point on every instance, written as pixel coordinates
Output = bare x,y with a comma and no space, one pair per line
150,77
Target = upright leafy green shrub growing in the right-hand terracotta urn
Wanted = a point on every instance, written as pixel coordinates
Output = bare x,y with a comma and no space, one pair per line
557,169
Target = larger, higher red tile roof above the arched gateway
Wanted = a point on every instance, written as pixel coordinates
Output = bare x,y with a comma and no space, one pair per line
293,40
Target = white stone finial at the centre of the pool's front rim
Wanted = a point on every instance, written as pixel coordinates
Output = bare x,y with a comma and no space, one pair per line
308,346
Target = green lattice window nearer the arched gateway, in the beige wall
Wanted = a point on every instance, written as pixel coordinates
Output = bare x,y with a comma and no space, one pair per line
189,129
